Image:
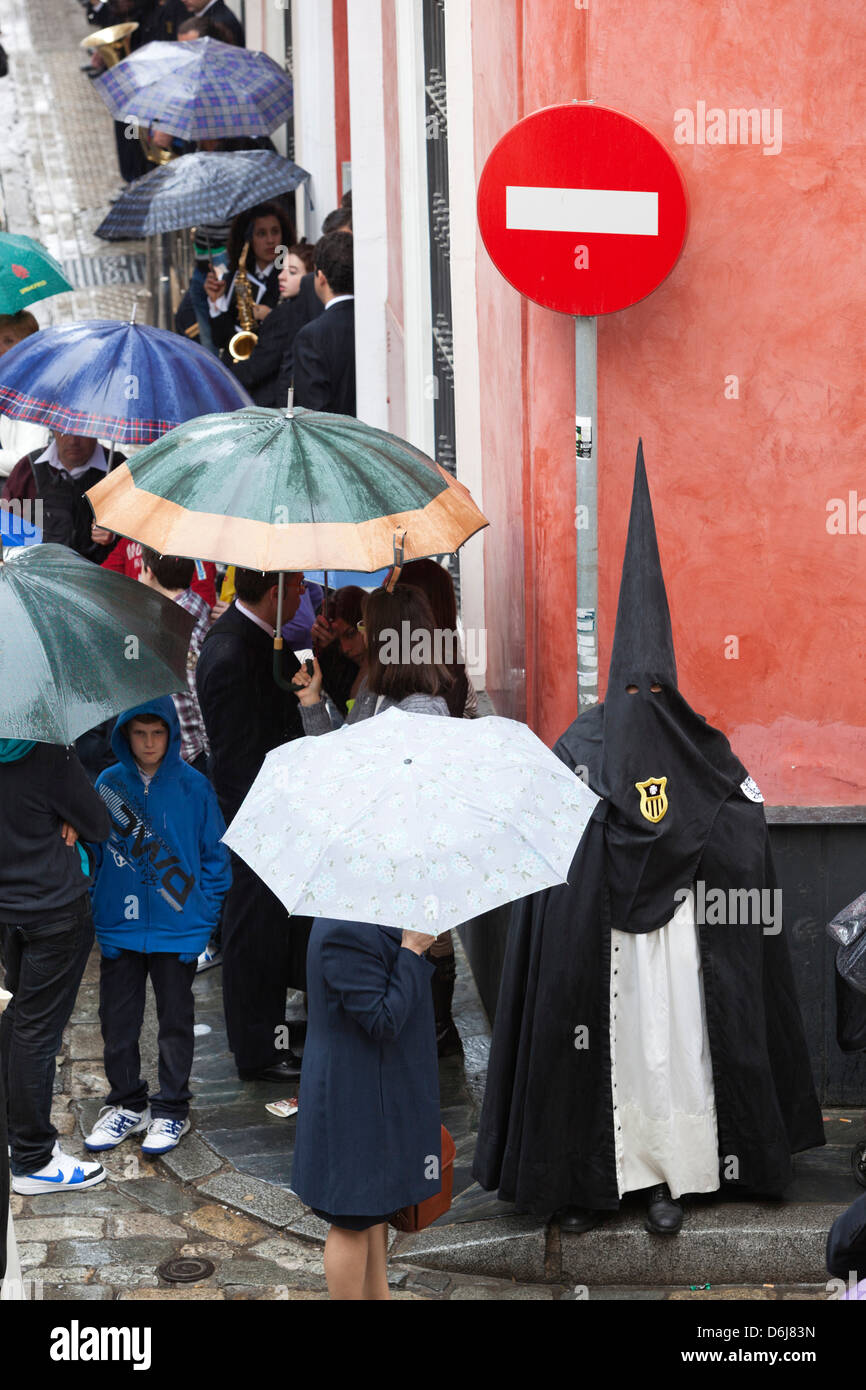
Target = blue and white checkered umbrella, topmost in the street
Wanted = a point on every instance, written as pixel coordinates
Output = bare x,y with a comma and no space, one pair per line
199,91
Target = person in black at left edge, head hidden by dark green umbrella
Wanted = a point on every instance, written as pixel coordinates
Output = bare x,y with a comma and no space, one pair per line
48,807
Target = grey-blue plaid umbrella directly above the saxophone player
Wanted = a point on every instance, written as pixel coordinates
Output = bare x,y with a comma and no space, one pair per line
199,188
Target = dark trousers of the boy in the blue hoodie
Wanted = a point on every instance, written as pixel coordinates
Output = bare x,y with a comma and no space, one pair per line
123,986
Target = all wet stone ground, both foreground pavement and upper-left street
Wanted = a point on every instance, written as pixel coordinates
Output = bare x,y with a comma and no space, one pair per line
223,1196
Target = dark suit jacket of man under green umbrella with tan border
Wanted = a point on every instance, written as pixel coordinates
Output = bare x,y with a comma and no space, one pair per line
245,712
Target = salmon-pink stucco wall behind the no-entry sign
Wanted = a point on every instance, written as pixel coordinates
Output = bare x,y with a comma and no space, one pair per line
771,290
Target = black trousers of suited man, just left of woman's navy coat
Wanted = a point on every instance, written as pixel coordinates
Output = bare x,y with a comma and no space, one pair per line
265,954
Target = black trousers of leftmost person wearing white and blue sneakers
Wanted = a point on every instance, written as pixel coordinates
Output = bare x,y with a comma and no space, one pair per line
44,961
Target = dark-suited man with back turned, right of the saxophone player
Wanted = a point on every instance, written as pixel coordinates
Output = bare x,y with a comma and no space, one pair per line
325,351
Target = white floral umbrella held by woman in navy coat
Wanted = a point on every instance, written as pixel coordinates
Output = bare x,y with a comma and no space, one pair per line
412,821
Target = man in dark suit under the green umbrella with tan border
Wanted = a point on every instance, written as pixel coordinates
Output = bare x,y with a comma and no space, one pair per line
247,714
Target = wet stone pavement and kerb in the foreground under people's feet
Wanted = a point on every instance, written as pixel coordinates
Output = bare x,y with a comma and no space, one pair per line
223,1196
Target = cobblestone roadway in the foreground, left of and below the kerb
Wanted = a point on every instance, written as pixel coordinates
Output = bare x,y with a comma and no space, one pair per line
111,1241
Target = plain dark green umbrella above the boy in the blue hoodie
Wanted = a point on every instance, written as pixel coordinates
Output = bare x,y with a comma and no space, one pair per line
80,644
